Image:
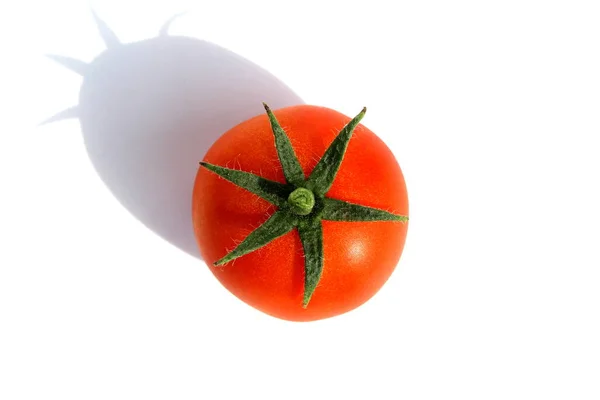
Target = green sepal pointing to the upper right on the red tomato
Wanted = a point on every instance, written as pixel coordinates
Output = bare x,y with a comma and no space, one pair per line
324,173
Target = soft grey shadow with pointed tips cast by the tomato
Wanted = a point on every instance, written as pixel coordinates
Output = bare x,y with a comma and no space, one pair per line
150,110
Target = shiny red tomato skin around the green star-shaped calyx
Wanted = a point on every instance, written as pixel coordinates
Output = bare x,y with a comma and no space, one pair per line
359,256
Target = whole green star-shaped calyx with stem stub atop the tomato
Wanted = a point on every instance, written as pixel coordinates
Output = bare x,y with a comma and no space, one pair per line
302,202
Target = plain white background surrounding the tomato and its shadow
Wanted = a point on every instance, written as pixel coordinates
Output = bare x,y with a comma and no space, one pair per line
493,111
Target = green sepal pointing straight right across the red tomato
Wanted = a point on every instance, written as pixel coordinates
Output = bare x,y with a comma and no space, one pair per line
338,210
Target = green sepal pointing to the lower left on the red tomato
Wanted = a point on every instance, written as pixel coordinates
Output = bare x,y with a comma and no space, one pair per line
277,225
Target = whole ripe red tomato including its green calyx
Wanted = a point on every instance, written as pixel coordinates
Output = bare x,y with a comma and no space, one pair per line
351,258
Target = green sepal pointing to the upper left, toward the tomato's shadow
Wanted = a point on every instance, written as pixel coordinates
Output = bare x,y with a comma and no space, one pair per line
274,192
